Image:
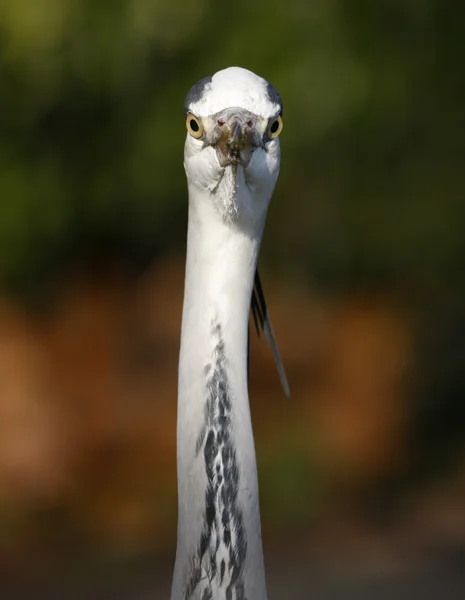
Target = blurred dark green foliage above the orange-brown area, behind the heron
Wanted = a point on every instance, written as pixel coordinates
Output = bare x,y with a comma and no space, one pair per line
91,122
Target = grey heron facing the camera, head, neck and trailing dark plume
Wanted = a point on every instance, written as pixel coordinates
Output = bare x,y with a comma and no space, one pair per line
231,160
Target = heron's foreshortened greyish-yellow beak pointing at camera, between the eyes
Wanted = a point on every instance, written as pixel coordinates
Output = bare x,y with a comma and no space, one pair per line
237,137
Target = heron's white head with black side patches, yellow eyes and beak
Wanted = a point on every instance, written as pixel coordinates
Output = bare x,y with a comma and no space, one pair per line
233,122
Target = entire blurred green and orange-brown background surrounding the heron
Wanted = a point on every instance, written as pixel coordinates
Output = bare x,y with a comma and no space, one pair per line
362,473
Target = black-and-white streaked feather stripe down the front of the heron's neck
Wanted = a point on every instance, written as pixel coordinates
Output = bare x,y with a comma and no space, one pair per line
220,554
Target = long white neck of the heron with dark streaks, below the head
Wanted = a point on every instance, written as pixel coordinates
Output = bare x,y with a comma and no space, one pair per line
219,554
